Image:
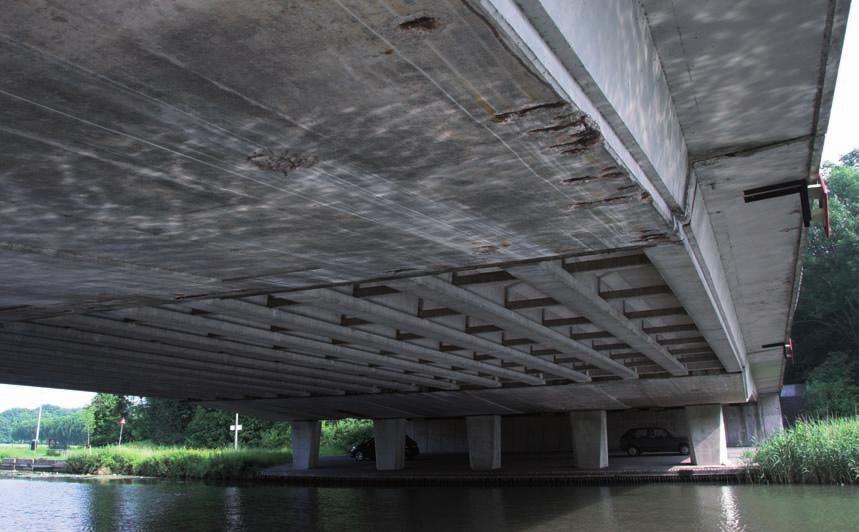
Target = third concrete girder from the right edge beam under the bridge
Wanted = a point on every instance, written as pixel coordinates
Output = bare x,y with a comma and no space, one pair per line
335,300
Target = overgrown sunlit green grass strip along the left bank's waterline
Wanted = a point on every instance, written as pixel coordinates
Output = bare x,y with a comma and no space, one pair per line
208,464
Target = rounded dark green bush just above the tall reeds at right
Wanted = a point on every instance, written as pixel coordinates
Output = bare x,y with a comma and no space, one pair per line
832,388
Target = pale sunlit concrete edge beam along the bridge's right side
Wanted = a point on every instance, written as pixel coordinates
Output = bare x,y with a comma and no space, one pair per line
558,39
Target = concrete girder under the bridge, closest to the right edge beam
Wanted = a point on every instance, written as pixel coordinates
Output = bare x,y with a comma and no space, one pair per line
552,278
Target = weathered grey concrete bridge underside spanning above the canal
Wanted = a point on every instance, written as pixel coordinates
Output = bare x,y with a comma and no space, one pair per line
409,210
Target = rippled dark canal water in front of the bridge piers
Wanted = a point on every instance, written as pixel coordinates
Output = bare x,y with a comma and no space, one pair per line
73,504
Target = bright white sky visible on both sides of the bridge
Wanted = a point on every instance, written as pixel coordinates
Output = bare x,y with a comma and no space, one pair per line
841,137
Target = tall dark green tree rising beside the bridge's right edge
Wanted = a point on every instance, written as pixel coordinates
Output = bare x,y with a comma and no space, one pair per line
827,318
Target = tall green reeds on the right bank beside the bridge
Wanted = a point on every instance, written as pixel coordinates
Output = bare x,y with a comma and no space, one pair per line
824,451
